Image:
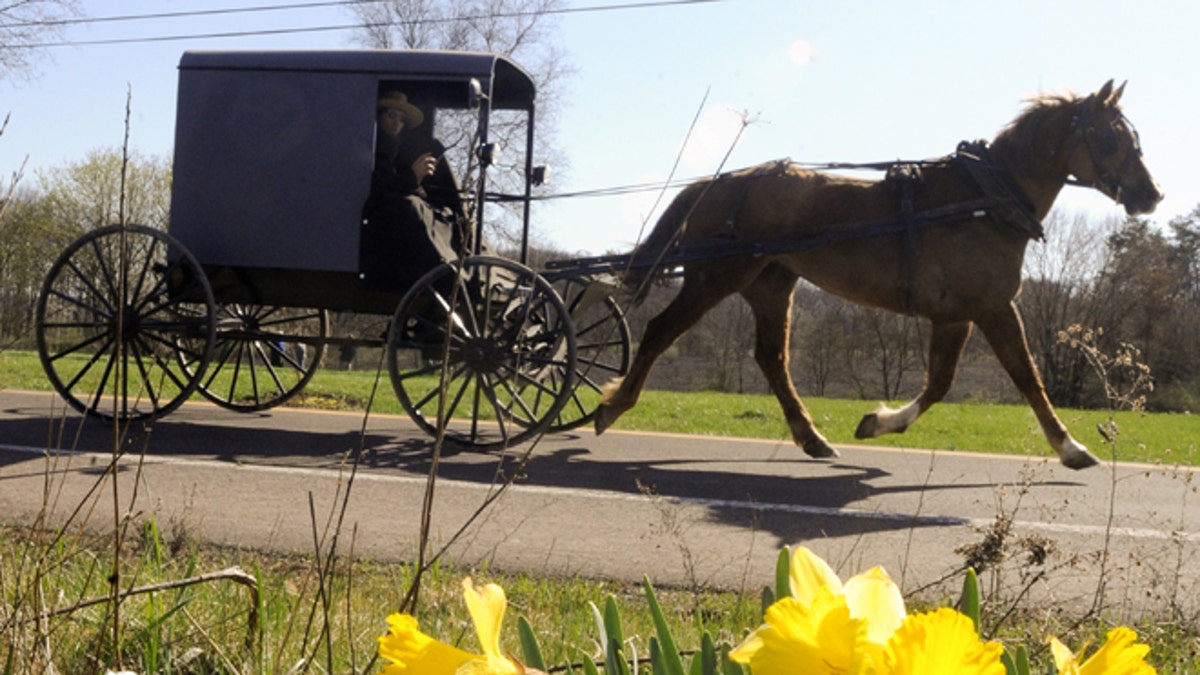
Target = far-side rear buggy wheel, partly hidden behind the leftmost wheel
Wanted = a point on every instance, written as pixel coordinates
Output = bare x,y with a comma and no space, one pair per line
263,355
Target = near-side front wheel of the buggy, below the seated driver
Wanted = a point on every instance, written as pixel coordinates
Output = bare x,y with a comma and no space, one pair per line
473,353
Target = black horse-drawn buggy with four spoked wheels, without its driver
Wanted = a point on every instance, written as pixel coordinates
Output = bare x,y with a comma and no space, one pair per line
273,168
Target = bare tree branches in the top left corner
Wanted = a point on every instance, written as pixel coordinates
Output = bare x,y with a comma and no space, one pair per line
25,26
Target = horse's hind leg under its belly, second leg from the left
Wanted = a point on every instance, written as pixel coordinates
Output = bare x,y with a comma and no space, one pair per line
771,300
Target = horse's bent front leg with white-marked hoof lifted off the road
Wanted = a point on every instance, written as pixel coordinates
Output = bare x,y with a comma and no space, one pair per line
945,351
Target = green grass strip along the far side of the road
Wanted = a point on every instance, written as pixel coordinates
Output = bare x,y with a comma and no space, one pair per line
987,428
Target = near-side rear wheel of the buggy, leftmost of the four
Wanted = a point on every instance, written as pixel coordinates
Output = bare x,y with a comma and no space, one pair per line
111,313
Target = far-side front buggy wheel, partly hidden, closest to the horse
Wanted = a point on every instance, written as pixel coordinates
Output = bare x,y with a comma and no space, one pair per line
603,348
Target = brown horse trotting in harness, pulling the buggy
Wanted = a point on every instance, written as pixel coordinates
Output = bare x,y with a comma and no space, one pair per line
897,244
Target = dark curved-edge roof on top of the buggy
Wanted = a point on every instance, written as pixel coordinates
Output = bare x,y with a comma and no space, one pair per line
511,86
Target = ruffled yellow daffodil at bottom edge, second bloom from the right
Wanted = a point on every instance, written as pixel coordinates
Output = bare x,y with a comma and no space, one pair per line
941,643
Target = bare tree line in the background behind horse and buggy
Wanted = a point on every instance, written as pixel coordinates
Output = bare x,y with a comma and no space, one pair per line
1129,282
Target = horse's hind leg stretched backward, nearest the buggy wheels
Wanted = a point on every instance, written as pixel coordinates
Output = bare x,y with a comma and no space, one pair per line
697,297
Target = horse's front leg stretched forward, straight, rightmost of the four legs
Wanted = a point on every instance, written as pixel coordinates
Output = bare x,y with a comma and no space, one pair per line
1006,334
